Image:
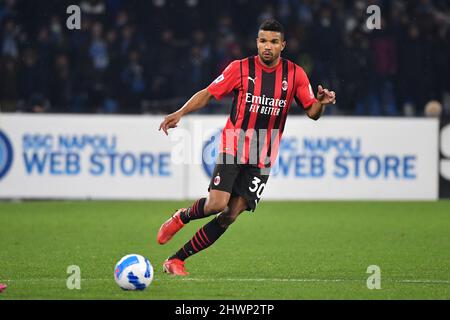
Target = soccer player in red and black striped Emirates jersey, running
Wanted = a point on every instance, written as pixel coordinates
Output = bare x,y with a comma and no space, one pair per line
264,87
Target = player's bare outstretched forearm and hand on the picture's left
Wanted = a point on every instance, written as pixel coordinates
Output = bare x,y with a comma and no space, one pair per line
198,101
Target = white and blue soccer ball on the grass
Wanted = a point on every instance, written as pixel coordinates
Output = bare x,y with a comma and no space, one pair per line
133,272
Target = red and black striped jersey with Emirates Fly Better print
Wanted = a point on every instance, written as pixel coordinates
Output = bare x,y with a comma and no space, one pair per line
262,98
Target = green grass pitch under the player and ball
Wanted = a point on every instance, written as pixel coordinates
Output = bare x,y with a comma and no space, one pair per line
286,250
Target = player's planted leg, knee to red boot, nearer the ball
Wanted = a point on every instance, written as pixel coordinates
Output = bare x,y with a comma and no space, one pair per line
205,236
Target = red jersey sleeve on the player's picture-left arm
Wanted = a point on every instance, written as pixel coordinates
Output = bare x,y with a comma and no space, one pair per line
227,81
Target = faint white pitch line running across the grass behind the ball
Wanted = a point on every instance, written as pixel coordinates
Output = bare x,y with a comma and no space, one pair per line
410,281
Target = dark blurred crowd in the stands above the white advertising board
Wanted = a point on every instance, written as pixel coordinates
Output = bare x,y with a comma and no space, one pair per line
136,56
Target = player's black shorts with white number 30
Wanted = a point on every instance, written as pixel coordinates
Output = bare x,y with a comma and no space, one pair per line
244,180
